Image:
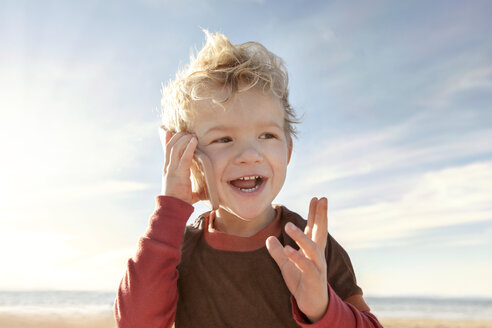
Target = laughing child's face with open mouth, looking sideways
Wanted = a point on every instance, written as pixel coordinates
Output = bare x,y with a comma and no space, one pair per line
248,149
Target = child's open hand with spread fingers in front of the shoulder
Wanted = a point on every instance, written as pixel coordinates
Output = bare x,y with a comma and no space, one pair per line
304,270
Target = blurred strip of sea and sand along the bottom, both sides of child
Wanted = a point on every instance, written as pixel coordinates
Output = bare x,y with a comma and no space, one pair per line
86,309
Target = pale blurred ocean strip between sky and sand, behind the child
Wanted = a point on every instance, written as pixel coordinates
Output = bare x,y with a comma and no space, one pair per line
88,302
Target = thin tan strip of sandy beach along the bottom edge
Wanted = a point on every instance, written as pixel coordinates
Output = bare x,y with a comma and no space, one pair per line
106,321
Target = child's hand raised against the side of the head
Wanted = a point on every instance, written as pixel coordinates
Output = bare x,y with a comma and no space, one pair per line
178,150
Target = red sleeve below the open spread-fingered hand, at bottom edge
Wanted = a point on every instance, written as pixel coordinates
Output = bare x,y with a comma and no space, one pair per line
338,314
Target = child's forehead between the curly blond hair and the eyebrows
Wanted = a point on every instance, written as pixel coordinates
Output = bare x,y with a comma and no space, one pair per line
243,110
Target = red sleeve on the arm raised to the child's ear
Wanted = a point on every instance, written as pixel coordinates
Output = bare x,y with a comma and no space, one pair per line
147,295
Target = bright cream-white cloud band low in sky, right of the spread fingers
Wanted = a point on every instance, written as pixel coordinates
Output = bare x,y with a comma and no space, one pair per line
446,197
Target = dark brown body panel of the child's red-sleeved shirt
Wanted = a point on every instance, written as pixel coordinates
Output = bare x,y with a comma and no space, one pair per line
220,288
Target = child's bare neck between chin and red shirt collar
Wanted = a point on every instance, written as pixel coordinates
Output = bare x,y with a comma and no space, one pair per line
231,224
